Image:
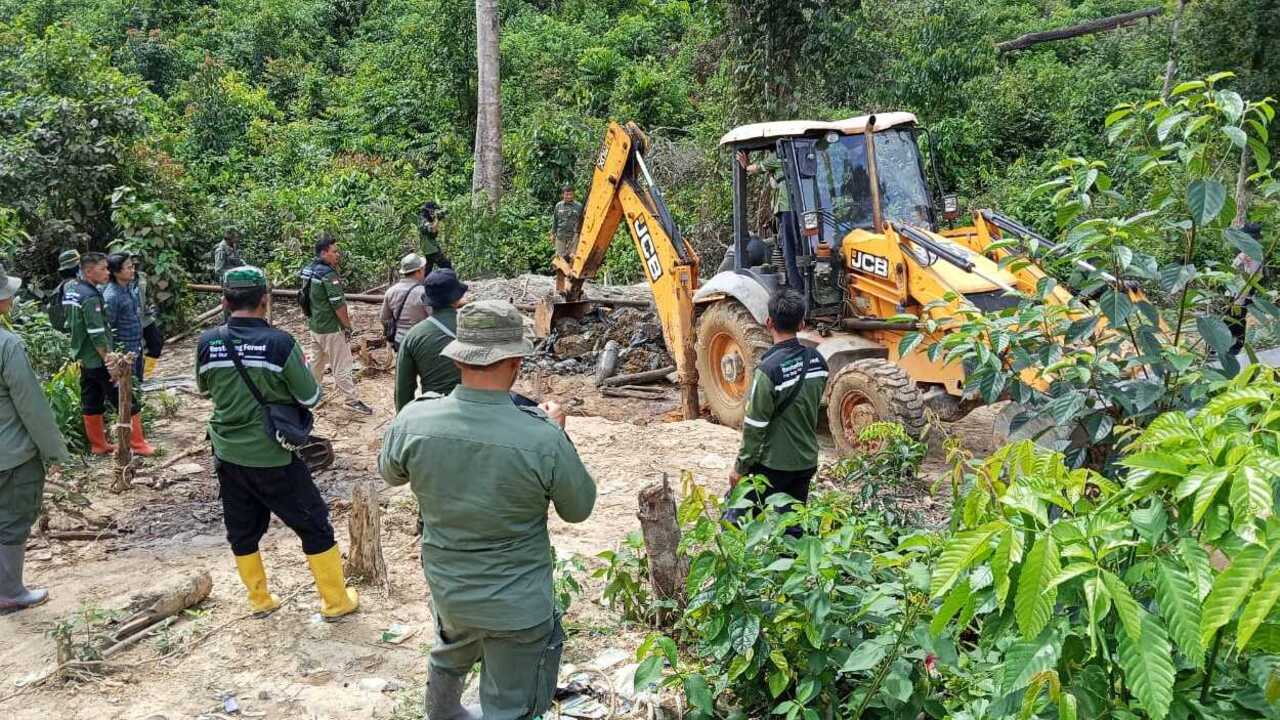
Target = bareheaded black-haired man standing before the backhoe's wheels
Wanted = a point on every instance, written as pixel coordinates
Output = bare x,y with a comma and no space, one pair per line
780,431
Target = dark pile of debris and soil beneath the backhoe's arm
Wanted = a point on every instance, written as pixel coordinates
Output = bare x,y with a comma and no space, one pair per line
580,347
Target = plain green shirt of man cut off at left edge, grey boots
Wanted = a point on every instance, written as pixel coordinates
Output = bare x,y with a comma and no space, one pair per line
28,426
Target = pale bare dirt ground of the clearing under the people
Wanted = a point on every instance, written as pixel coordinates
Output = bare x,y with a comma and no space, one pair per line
292,666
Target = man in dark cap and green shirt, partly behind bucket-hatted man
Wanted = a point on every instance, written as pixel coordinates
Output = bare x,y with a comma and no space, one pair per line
420,363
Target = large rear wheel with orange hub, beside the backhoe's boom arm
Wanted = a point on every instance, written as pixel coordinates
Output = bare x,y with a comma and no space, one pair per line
730,345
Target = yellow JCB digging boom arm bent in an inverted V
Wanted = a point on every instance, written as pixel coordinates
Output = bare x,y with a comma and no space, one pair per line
670,263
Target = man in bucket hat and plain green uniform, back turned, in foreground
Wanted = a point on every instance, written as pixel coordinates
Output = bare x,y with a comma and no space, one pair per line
484,472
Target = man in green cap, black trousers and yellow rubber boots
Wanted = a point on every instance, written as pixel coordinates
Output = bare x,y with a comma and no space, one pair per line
257,476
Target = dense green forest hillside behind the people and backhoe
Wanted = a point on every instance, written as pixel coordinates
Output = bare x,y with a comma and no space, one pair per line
167,122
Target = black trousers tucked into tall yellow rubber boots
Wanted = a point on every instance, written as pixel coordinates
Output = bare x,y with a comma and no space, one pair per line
252,495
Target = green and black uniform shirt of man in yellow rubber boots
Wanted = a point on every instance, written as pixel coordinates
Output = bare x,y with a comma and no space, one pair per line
275,362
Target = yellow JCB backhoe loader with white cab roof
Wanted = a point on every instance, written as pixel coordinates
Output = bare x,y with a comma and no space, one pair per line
867,247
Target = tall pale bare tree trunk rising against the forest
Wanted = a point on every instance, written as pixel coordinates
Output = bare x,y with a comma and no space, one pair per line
487,176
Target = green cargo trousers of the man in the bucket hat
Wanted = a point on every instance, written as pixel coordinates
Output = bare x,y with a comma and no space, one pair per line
519,668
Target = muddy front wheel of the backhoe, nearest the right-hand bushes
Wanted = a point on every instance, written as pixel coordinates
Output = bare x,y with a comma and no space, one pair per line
868,391
